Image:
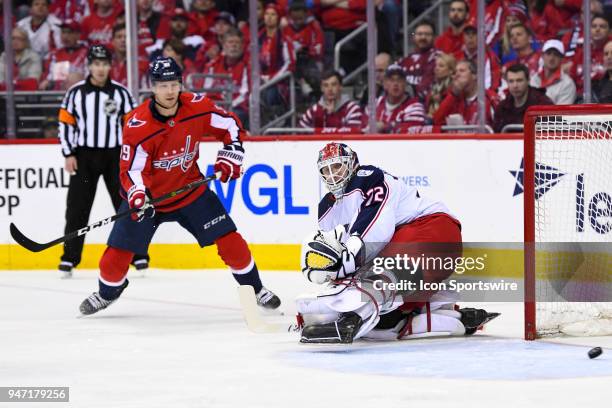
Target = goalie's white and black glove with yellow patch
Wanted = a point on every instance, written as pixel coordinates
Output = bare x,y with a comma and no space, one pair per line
325,258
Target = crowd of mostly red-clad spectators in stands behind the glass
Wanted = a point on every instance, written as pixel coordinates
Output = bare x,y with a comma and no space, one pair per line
534,55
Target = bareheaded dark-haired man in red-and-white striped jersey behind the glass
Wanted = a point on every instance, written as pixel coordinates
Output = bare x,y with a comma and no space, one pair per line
335,111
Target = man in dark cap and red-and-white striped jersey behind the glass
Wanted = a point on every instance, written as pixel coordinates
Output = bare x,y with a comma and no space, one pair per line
397,110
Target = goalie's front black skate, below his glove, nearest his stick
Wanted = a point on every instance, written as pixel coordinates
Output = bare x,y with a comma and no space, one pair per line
342,330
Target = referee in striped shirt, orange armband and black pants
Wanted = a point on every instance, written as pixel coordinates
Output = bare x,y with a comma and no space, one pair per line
91,120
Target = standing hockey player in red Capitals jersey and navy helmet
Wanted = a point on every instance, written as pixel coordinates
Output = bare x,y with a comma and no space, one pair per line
160,146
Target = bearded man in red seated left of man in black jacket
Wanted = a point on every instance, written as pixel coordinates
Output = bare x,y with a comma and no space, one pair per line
460,106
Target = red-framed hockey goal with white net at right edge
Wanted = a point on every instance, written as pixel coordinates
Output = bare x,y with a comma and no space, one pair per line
554,140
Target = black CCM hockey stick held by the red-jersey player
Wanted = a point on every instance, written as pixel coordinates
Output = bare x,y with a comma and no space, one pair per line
30,245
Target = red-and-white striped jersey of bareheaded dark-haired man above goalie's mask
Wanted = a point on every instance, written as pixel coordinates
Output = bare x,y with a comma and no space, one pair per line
348,114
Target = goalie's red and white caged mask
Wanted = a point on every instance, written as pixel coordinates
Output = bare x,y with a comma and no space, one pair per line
336,164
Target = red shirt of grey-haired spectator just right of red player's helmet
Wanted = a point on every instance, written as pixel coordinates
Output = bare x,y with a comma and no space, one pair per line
240,77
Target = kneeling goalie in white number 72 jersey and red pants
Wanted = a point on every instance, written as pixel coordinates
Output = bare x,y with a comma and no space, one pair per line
369,214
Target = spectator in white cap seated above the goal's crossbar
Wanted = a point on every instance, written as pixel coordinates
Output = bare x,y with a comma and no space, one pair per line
560,88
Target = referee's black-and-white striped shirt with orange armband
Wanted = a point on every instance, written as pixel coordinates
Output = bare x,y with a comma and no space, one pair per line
92,116
